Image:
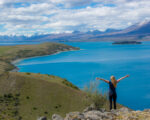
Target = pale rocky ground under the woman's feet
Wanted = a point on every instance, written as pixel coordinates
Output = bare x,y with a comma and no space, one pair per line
102,114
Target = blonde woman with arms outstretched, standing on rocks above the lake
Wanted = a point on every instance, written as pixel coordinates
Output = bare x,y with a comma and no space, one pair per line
112,88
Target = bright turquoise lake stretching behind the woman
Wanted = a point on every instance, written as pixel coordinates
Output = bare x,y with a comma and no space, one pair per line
101,59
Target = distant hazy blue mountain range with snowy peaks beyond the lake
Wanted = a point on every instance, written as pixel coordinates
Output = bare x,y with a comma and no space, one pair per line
139,31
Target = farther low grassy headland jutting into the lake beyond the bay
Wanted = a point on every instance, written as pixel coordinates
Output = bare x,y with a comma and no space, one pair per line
11,53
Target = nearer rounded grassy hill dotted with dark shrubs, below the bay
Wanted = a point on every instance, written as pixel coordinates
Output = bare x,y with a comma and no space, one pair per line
37,95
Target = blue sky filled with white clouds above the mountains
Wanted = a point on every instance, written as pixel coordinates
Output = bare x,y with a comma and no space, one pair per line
27,17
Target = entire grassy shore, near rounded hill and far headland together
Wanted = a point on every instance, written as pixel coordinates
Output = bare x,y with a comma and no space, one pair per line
27,95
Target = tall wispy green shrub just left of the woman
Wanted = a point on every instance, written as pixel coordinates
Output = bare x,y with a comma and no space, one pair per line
94,95
